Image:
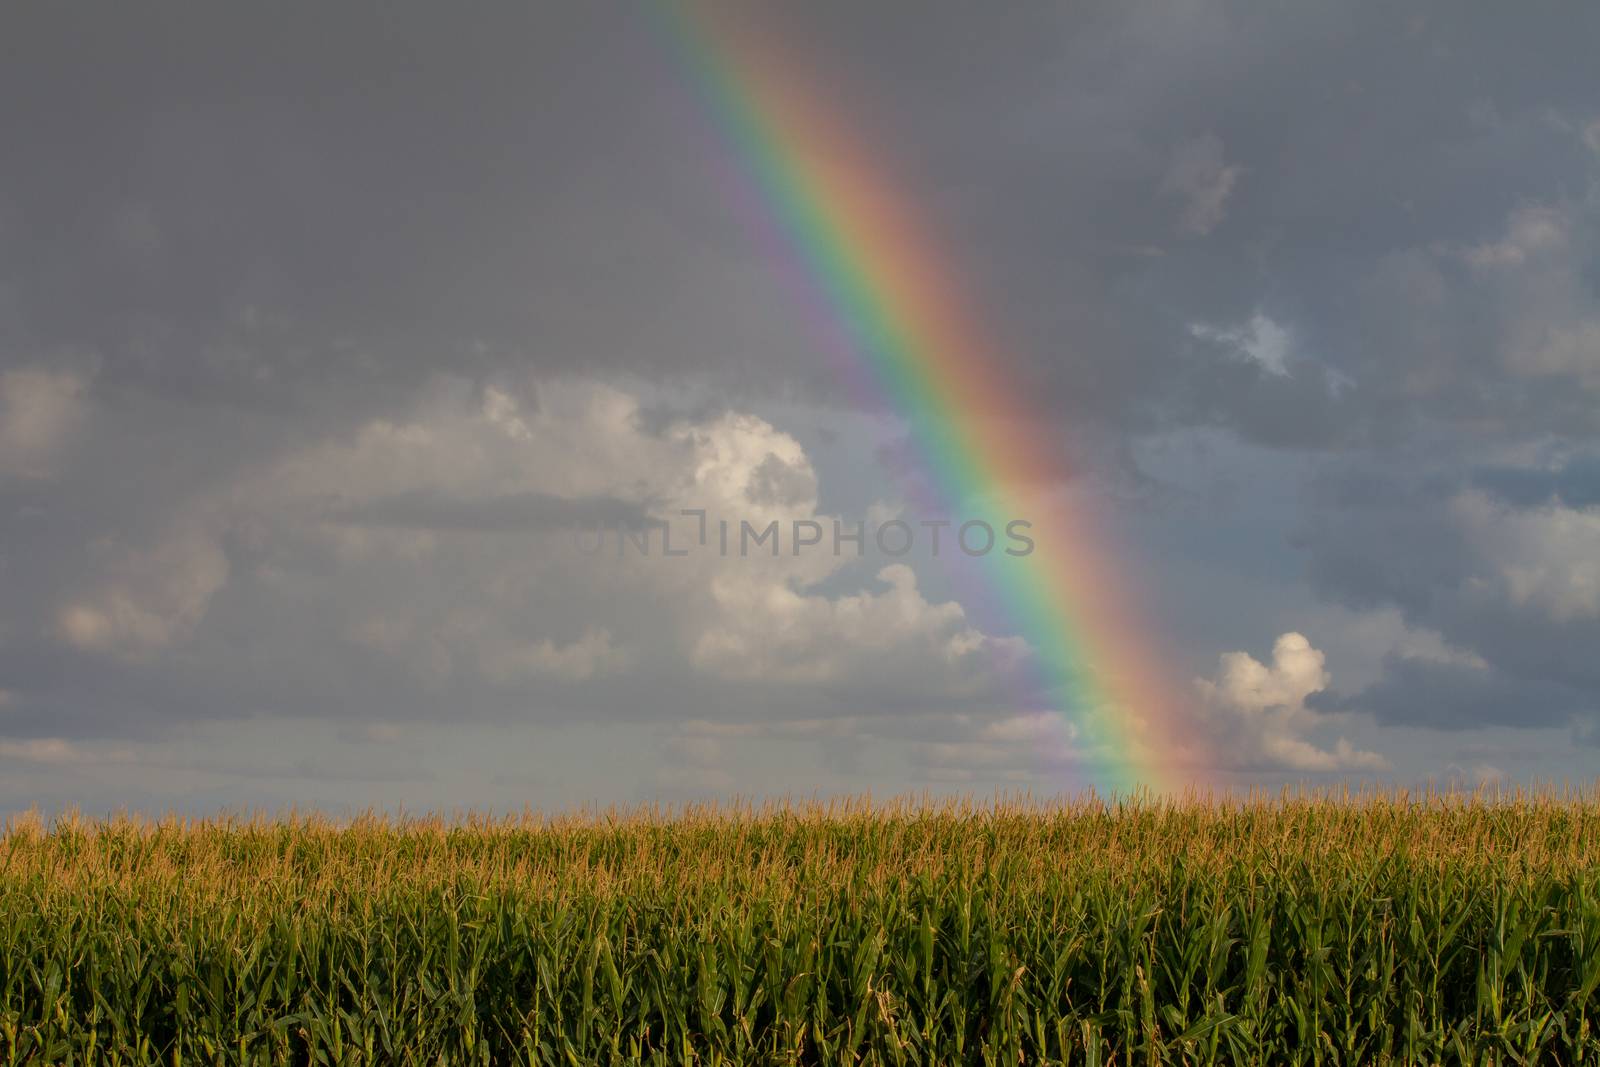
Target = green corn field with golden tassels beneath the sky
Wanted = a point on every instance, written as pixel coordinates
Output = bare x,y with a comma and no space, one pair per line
1330,929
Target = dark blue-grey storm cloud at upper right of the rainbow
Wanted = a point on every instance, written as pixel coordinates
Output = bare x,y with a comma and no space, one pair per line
1367,142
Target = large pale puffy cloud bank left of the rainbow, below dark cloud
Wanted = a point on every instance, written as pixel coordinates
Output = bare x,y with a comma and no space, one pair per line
353,578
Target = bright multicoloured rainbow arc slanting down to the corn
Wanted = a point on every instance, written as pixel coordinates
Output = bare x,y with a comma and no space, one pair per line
894,300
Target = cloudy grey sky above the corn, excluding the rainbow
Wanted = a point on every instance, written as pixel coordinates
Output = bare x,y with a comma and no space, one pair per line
329,332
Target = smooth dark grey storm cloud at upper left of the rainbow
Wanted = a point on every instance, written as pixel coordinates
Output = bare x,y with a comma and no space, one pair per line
270,204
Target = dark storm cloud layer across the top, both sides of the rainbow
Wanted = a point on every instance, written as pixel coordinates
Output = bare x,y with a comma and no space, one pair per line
265,206
